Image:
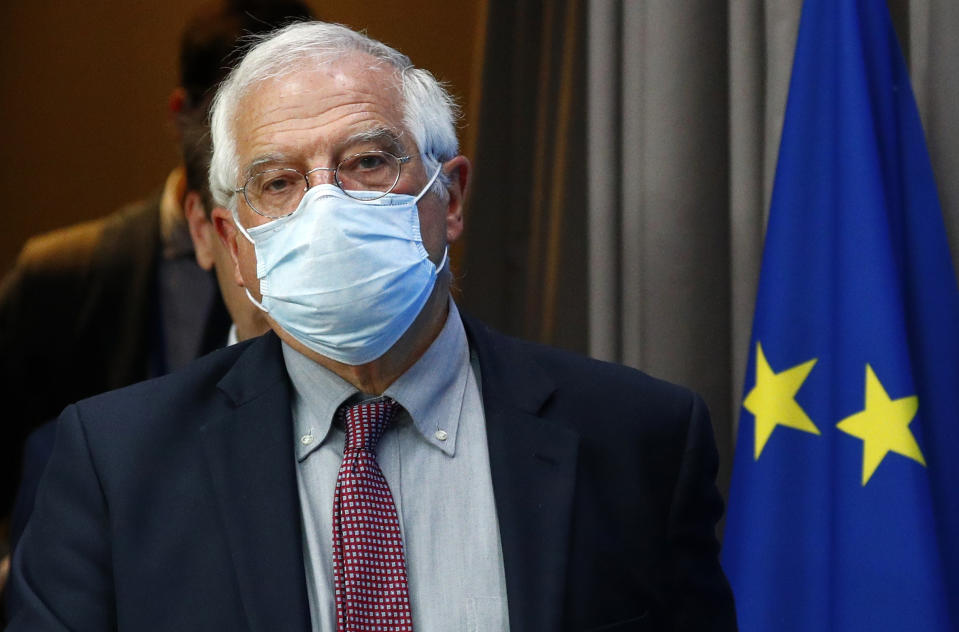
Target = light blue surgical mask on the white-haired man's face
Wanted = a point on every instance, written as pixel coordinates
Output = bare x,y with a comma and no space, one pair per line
345,277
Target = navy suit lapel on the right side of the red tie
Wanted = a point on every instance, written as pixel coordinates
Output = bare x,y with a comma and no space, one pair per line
533,467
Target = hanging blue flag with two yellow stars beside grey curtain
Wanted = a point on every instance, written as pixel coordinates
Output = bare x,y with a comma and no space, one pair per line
844,506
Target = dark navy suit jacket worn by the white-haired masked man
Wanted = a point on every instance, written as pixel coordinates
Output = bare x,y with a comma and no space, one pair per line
173,505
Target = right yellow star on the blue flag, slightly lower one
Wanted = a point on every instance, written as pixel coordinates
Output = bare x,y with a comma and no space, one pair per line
883,426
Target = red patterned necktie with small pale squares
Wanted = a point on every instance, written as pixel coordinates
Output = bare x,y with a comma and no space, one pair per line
369,569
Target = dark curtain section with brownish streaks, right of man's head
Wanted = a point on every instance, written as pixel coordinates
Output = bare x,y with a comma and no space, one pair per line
523,267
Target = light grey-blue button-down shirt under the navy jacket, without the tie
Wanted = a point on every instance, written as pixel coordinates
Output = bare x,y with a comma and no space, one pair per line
434,457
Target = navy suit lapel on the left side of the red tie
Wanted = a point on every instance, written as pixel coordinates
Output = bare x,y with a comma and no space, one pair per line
250,456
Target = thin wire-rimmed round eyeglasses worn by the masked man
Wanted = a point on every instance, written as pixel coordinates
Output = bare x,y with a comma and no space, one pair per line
365,176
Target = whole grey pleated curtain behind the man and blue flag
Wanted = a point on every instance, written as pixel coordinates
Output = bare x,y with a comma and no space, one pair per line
624,165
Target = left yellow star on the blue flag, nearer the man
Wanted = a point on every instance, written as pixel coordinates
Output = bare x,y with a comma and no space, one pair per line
772,401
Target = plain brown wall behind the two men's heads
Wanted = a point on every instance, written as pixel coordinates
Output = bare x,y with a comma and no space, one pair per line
84,87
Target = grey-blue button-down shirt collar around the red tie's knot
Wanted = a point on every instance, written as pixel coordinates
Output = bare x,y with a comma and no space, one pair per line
431,390
